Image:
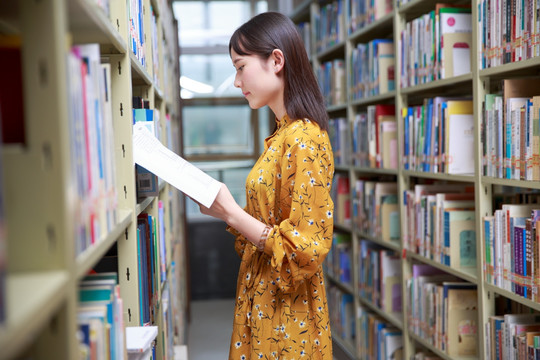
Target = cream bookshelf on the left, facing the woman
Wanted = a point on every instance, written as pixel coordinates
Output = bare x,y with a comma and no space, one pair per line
43,211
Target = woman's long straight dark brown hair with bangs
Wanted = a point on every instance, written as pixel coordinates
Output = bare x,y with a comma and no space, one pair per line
268,31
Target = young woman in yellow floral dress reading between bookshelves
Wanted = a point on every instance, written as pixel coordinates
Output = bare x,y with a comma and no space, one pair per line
285,231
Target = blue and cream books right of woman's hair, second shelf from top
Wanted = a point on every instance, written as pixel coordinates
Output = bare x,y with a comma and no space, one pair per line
372,69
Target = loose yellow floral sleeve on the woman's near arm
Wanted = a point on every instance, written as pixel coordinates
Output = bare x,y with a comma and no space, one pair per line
300,242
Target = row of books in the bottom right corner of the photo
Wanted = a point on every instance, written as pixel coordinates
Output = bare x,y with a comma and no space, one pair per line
513,336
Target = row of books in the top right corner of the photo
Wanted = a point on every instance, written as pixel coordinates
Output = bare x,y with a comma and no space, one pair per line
508,31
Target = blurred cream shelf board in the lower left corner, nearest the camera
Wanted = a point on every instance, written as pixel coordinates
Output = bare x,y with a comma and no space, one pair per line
32,299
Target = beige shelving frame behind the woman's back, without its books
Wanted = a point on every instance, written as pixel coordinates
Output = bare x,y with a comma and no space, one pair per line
473,85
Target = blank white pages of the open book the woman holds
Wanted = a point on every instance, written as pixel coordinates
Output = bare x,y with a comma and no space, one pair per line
149,153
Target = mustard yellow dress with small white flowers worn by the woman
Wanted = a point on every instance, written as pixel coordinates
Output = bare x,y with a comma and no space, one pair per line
281,310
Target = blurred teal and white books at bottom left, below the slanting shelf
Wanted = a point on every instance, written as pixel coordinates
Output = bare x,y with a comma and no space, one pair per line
100,318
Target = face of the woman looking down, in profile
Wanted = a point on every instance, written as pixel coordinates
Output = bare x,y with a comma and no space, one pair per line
259,81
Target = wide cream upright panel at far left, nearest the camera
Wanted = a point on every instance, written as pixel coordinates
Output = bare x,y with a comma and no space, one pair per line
38,173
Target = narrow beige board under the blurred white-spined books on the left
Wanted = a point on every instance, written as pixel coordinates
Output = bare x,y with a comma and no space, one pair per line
91,256
